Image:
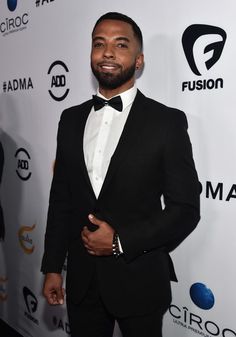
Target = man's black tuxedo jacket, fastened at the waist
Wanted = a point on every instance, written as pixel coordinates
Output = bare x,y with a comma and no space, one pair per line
153,158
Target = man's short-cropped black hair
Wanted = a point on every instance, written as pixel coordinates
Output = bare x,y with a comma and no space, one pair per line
124,18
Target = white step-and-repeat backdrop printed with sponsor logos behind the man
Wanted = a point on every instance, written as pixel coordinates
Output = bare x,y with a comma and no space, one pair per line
190,55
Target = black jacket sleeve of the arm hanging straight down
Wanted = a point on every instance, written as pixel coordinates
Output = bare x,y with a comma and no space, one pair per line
59,212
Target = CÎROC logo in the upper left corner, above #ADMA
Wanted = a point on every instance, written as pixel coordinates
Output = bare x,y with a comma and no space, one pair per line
13,24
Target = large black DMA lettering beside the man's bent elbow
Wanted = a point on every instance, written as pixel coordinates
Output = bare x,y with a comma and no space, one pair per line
219,191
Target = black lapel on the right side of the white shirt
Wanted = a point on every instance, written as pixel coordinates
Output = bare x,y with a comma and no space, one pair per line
128,140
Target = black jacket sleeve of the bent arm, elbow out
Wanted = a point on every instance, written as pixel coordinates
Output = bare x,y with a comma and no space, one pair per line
167,228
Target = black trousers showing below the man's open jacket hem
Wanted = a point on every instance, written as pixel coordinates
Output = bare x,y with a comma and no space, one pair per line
90,318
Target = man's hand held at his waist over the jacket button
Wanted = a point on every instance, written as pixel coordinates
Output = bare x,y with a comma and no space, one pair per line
99,242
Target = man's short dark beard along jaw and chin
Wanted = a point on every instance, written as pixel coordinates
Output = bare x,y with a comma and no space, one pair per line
109,80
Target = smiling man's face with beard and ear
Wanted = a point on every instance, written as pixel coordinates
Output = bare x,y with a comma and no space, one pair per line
115,55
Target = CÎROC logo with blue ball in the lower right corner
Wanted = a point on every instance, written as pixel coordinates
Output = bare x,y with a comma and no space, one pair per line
204,299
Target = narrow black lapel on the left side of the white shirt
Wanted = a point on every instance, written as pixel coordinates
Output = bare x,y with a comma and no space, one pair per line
80,126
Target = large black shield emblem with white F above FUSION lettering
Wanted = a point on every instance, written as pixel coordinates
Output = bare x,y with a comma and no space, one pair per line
199,52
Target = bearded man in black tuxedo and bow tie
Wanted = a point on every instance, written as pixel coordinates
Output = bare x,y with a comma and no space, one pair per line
117,156
